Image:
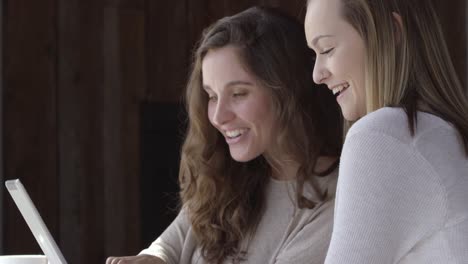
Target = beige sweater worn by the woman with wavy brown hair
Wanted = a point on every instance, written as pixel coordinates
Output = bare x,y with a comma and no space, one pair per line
285,233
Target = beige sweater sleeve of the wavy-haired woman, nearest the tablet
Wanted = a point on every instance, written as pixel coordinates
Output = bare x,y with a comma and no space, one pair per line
170,244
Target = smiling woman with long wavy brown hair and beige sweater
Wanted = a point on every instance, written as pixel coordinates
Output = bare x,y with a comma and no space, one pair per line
258,166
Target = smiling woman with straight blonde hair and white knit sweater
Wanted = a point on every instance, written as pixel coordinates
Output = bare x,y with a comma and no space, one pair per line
403,182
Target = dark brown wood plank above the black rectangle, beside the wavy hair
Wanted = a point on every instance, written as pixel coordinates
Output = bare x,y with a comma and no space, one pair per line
167,50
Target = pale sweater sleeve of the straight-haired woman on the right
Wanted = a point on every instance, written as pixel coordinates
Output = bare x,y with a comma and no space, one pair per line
388,199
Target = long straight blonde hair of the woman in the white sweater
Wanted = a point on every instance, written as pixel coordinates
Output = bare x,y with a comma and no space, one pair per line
408,65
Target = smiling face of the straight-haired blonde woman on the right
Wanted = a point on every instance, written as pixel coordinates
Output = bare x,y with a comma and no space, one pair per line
340,50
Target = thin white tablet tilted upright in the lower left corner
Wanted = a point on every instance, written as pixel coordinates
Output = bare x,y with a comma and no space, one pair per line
35,222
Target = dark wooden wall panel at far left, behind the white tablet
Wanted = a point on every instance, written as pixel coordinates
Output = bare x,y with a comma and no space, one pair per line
29,124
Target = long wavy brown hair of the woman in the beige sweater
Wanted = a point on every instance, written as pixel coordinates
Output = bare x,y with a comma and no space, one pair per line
224,198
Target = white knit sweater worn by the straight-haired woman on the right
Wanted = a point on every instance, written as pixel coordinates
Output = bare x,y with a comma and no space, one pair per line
401,198
